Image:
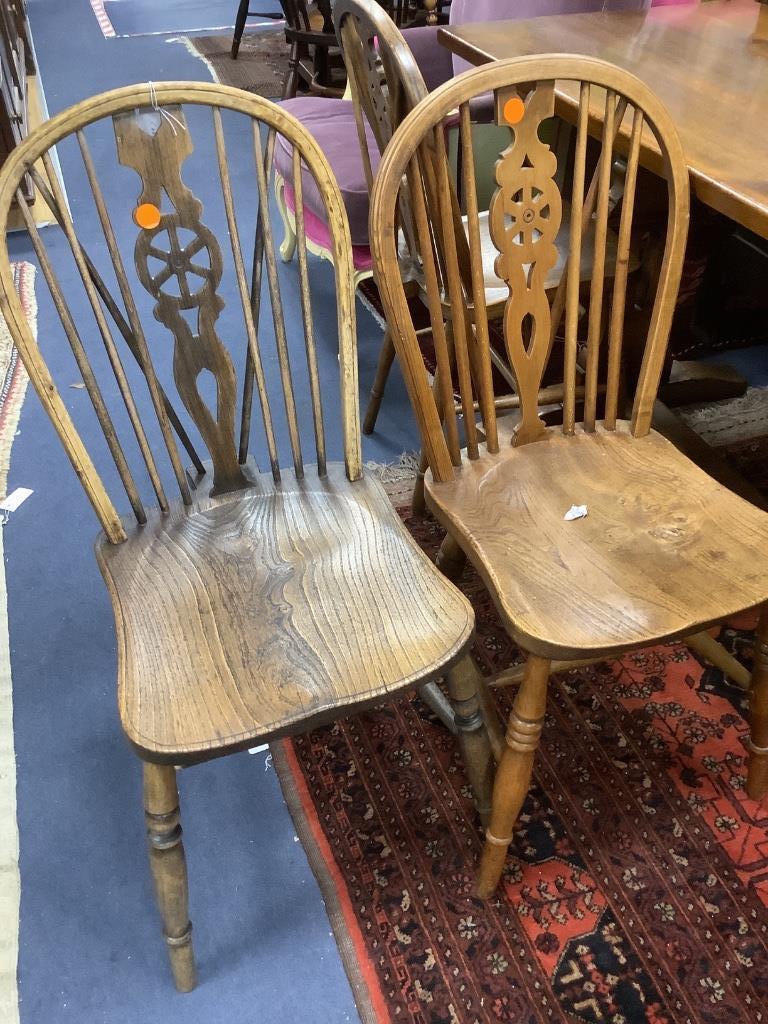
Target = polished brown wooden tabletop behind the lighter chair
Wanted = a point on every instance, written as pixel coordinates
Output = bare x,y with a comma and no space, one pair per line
703,63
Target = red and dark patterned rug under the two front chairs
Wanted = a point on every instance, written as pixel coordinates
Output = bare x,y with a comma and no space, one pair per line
637,886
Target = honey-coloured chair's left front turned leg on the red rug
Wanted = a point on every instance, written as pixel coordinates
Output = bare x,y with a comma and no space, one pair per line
514,775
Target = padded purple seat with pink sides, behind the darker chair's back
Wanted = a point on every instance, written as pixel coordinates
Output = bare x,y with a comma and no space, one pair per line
332,124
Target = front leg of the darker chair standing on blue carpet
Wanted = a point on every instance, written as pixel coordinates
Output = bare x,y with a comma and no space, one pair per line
169,870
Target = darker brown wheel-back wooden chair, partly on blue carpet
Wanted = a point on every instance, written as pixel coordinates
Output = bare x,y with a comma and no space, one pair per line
279,590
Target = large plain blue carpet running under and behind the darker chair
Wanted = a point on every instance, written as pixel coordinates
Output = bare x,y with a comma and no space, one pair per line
91,945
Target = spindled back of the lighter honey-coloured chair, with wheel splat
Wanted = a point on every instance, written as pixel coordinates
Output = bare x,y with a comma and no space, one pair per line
526,214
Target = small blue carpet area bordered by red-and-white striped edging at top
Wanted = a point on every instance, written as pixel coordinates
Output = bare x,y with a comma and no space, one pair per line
139,18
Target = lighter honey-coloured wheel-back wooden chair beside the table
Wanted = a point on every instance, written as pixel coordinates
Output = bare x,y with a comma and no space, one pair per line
660,550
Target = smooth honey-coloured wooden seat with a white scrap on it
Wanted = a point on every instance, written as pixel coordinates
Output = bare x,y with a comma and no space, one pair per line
655,557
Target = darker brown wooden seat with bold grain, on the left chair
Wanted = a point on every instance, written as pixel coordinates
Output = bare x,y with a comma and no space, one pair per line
239,618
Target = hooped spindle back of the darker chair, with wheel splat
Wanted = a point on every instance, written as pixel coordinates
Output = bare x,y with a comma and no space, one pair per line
177,282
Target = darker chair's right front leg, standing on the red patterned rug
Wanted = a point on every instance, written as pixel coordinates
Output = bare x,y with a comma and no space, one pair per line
464,684
